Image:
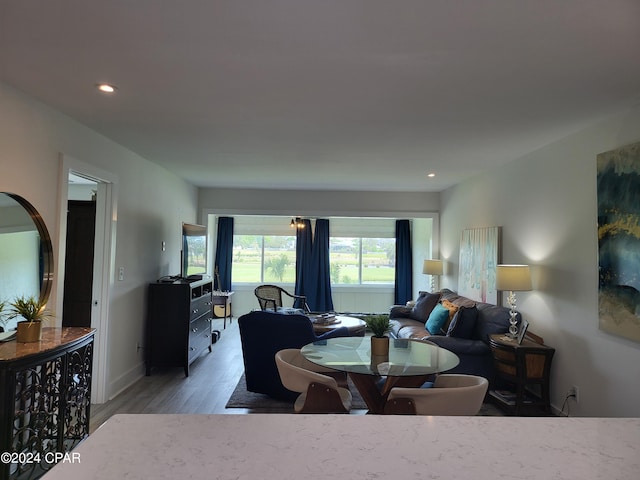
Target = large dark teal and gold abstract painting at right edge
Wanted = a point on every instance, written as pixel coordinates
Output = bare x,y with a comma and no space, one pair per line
619,241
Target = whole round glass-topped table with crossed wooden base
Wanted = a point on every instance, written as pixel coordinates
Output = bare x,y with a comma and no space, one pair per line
410,363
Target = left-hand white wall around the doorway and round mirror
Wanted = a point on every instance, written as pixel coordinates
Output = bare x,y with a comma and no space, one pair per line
152,203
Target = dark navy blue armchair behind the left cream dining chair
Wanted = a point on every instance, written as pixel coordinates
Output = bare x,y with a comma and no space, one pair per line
264,333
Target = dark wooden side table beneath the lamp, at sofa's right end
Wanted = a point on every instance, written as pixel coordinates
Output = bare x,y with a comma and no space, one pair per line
521,366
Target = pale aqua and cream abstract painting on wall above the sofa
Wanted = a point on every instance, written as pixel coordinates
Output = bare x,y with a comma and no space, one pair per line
479,256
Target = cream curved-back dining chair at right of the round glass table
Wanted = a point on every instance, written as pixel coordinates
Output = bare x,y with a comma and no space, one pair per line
451,394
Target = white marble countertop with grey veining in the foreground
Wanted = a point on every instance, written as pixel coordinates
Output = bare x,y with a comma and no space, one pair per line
279,446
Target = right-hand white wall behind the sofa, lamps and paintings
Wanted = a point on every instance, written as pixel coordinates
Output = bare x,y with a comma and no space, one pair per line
546,204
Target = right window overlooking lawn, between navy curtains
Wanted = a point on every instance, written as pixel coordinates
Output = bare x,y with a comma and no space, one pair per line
362,260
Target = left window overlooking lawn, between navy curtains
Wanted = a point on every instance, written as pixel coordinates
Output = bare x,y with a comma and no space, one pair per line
264,259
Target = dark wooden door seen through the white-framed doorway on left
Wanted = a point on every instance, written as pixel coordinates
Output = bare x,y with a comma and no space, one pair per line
78,273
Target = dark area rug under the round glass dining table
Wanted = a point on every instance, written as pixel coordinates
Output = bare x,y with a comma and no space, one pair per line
258,402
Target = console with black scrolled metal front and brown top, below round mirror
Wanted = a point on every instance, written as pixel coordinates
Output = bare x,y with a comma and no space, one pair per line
45,398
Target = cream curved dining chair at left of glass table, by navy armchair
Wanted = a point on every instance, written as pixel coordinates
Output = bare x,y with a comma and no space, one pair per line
319,393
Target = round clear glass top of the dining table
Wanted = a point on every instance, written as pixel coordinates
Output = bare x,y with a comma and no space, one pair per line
406,357
